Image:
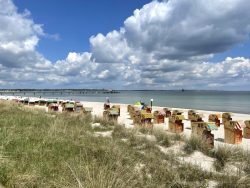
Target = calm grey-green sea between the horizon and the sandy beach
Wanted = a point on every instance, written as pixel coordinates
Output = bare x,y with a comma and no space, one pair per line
231,101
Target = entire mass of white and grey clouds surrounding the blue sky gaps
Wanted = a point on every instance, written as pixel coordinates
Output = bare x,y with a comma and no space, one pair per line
163,45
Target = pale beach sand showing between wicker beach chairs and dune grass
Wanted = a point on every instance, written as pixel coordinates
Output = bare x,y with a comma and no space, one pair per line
197,158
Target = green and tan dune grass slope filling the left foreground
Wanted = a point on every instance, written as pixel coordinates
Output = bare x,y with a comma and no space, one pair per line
39,149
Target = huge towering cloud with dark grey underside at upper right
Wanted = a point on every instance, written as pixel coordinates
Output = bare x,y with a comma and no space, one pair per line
178,30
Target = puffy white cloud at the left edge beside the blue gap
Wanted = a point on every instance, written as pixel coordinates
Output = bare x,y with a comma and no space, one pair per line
19,36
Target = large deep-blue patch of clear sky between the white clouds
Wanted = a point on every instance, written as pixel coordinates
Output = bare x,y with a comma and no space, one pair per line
76,21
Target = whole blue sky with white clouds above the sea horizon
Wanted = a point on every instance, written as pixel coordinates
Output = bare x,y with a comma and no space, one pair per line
125,44
